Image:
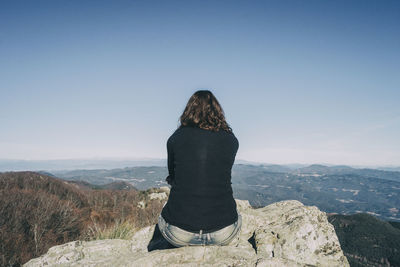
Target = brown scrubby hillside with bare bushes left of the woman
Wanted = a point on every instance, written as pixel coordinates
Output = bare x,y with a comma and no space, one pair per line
38,211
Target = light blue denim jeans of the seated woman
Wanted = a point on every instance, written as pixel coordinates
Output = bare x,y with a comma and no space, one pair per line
179,237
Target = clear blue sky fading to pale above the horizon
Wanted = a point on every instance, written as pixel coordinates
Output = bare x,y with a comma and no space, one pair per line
299,81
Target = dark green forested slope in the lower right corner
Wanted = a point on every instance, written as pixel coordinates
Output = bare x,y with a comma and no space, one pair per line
366,240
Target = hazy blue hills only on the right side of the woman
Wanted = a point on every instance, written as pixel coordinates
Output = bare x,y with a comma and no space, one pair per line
340,193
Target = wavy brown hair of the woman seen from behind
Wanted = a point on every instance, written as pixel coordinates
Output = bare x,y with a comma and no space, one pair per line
204,111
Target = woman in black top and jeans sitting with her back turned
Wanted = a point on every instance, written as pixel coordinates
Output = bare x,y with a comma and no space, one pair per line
201,209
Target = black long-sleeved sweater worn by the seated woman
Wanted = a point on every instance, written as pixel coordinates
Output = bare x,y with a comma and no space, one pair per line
199,165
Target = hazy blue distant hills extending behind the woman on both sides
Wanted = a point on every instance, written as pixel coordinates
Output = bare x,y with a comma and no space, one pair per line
339,189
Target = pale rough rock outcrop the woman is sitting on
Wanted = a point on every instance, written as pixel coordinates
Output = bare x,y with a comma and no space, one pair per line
285,233
